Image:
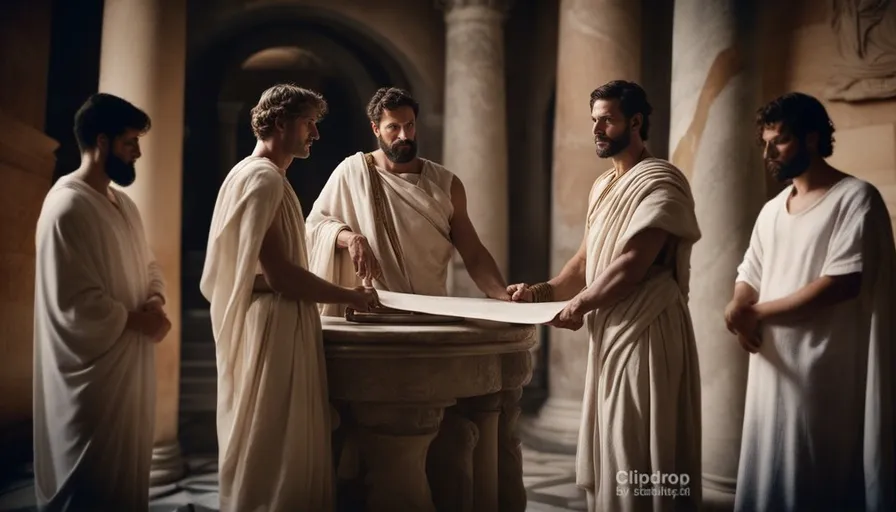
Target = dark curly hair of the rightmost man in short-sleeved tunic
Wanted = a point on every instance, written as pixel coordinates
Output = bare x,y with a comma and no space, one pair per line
799,114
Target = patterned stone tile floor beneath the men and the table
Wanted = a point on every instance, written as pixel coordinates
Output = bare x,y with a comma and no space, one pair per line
549,479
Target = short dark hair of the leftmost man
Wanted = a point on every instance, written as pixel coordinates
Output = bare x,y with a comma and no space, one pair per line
109,115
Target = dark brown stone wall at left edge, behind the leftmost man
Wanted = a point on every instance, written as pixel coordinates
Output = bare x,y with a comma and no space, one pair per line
26,170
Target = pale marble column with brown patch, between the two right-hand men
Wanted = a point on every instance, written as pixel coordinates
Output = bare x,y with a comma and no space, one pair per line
715,92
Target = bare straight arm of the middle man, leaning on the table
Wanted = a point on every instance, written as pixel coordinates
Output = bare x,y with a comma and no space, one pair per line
479,262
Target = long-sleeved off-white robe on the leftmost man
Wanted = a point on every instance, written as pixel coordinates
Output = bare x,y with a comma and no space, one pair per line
94,381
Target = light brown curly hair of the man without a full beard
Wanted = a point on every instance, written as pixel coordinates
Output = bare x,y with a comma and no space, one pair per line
283,102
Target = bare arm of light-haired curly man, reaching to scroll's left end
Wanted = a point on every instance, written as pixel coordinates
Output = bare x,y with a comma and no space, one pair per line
293,281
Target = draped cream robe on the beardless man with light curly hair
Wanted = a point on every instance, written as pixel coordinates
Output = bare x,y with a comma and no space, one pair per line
273,409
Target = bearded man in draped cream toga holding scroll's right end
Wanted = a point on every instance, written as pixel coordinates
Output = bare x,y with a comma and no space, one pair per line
629,283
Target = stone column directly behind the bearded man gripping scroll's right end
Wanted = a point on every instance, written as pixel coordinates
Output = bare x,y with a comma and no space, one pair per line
599,41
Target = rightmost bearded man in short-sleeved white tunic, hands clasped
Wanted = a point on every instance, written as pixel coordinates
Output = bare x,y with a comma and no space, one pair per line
813,301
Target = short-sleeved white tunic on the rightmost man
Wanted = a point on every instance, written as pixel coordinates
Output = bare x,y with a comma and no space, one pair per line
818,422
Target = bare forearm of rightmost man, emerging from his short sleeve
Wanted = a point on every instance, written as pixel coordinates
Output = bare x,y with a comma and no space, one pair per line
822,293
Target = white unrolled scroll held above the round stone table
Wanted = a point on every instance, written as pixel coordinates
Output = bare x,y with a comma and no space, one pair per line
482,309
